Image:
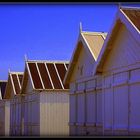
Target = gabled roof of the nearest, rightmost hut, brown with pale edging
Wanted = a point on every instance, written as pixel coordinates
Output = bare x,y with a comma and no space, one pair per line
128,16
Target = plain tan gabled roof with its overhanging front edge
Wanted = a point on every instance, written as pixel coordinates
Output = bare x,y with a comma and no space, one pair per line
92,42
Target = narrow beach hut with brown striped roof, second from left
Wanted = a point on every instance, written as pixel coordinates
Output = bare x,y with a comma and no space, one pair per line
12,93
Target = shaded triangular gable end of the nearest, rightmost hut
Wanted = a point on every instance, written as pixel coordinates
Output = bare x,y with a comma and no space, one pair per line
117,48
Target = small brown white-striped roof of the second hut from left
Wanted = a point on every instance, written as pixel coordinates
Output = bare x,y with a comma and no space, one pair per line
14,83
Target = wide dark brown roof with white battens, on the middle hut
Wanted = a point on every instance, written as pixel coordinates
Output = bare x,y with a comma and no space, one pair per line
45,75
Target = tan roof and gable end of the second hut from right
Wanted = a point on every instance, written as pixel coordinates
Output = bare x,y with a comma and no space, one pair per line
83,58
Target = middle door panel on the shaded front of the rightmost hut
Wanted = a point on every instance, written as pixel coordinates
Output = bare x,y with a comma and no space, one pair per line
120,102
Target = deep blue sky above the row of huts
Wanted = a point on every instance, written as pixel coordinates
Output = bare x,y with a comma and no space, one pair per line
47,32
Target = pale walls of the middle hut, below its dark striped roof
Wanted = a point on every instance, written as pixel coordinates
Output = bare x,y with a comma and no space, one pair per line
46,113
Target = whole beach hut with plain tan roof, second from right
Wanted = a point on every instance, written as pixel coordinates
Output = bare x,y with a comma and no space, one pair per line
85,89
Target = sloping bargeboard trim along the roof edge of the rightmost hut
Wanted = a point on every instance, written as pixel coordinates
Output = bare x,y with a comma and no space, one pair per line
121,18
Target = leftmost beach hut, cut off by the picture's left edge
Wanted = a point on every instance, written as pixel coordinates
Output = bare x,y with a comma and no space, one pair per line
4,111
